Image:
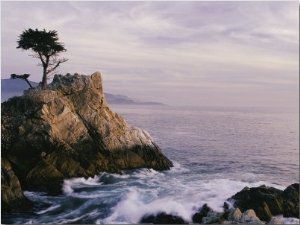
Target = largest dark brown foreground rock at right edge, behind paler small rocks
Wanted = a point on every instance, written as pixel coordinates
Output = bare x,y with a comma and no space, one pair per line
269,201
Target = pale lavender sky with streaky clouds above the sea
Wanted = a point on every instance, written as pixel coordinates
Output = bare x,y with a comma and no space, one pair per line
197,53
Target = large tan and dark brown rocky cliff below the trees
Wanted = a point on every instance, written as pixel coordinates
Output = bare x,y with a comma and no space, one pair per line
68,131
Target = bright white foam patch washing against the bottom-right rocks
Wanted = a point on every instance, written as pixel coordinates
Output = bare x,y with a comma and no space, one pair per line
178,199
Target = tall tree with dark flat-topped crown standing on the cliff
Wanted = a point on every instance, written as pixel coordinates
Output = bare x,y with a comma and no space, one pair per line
46,47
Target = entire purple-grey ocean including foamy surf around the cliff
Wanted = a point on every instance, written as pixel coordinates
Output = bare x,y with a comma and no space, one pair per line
216,152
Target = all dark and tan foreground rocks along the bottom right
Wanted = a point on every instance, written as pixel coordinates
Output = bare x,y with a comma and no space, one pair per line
250,203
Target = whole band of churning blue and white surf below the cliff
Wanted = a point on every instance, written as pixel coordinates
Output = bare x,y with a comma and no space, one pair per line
117,199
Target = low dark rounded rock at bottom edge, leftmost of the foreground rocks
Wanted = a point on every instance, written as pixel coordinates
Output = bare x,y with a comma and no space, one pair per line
162,218
